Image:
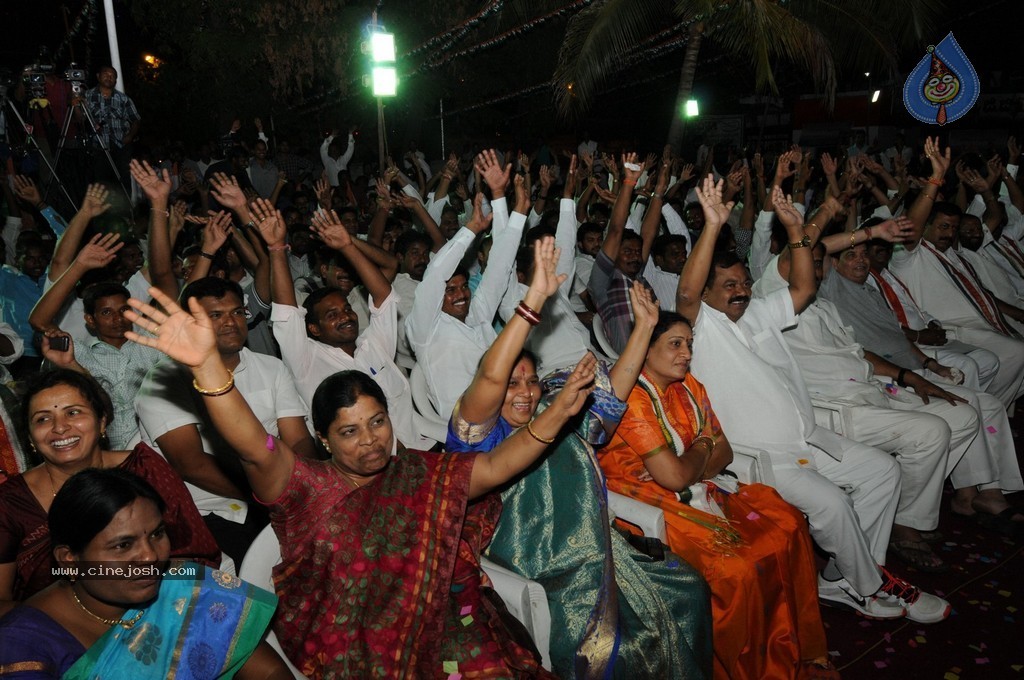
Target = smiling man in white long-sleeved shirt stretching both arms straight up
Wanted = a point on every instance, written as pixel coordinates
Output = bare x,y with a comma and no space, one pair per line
449,328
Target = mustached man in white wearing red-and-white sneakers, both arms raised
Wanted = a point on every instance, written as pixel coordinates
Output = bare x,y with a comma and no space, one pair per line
848,491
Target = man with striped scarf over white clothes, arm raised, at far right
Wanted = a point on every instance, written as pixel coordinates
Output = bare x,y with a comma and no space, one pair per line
943,283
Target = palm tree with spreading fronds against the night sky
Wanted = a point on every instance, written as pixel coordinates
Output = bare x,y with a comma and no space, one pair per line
815,35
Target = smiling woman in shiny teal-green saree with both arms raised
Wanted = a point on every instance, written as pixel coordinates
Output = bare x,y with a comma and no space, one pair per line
616,612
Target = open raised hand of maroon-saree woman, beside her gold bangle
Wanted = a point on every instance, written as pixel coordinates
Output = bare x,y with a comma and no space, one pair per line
188,338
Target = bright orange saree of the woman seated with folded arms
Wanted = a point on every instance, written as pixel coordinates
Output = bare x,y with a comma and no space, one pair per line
759,564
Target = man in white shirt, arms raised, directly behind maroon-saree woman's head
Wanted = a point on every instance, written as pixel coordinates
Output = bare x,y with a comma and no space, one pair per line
324,338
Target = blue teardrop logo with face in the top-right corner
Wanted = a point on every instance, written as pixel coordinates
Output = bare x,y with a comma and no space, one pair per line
944,87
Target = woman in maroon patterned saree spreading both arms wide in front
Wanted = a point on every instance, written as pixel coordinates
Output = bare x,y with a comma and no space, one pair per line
379,573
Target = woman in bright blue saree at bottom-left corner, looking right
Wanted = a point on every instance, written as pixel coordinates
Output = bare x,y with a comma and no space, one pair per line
125,612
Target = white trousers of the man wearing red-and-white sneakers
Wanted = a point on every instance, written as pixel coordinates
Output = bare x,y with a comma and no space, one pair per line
850,506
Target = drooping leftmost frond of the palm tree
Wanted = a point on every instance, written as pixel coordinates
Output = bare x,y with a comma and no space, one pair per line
596,40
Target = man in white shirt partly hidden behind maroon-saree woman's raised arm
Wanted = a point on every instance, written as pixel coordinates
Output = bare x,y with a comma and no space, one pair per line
175,421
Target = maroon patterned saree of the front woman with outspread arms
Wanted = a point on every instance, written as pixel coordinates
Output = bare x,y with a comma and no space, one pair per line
385,581
